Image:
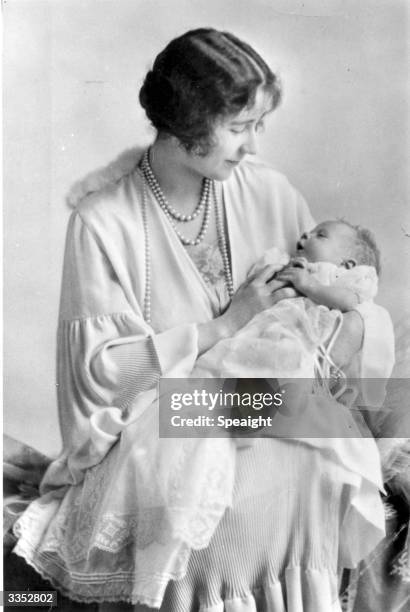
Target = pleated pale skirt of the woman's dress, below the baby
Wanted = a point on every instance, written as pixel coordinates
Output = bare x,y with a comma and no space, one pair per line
277,548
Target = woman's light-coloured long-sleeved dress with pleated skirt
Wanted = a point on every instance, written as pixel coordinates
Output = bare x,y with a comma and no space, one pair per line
101,530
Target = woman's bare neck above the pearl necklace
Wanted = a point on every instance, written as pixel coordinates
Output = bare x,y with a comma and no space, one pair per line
180,184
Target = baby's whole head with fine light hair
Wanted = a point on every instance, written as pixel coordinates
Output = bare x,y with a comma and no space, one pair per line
340,243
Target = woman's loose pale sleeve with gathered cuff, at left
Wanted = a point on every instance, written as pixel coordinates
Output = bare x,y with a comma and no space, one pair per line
108,356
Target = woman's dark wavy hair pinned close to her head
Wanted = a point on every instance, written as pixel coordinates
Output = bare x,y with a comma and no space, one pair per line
201,77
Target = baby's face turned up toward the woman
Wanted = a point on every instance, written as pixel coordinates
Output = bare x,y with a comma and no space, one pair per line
329,241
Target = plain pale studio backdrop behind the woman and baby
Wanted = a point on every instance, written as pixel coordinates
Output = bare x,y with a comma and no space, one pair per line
72,71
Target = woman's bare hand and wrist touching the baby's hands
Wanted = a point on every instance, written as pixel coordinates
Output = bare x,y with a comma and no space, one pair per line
257,293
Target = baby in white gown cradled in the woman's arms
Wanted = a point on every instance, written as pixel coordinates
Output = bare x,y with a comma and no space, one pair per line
334,270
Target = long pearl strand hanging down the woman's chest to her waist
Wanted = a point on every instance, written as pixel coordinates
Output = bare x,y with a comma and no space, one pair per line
222,242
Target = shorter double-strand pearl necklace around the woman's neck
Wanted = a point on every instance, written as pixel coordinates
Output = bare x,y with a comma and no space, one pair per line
171,213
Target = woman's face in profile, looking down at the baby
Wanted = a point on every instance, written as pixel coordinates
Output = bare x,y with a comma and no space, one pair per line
234,138
